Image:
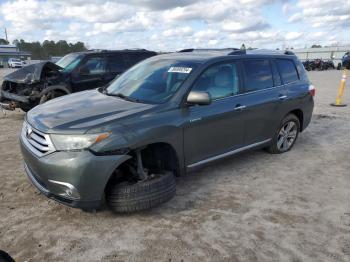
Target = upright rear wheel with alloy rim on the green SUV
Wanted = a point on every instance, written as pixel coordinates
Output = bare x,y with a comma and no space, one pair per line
286,135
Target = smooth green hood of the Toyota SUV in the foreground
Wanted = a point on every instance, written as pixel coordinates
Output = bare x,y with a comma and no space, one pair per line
79,112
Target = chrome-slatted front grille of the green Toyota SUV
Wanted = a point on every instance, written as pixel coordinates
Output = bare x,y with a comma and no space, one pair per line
39,143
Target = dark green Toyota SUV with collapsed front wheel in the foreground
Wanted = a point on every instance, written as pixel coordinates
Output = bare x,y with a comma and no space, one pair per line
170,114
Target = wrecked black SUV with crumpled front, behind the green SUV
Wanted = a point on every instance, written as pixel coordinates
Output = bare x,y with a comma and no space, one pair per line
38,83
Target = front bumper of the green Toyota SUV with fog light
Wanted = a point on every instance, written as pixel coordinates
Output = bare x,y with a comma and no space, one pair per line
76,179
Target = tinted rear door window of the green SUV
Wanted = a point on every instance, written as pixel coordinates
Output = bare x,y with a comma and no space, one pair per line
258,75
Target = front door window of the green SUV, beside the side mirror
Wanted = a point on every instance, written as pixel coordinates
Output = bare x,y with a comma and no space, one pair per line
219,81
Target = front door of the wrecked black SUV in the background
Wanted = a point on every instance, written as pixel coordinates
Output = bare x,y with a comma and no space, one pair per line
91,73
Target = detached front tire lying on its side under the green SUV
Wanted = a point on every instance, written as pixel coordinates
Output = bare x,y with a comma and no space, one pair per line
129,197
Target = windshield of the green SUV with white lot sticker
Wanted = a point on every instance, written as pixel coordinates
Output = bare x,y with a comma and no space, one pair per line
152,81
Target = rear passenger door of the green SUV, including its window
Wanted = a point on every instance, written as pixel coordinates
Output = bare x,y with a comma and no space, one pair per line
260,99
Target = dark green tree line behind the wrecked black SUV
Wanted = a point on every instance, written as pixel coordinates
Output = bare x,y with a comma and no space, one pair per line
48,48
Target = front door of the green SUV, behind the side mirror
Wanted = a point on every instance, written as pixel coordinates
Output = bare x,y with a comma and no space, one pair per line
215,129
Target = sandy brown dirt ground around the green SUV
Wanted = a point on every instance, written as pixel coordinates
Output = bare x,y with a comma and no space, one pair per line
252,207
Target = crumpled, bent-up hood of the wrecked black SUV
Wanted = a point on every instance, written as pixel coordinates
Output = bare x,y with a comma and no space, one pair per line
31,73
